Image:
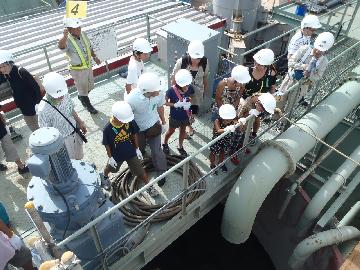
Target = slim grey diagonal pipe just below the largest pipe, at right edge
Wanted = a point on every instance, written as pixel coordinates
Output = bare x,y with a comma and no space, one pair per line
327,191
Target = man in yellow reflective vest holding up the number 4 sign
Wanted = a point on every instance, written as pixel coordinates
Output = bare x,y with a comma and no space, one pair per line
78,48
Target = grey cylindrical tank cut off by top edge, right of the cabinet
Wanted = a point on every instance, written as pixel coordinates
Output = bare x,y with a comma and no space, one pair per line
247,8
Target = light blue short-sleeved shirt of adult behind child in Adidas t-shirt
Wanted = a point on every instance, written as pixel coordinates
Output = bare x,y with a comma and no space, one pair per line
145,109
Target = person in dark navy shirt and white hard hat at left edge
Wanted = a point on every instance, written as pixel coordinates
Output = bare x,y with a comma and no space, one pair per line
26,91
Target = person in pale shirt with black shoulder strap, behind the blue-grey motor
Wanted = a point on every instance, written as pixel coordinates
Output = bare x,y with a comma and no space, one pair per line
58,110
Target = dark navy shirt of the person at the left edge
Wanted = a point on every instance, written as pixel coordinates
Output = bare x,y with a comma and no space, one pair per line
25,89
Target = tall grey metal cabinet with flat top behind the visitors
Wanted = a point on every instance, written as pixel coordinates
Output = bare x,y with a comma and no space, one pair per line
174,42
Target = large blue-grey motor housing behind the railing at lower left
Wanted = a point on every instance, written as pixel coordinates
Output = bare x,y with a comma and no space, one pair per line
67,195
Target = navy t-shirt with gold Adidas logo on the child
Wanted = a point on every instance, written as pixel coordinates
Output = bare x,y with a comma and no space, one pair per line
118,139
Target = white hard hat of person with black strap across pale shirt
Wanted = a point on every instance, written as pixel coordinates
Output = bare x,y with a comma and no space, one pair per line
55,85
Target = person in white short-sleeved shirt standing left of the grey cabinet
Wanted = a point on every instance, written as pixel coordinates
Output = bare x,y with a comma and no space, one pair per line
141,50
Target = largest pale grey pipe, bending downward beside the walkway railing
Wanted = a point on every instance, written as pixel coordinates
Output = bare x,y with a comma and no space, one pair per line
279,157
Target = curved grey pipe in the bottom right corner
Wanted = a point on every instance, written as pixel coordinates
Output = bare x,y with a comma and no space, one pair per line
323,239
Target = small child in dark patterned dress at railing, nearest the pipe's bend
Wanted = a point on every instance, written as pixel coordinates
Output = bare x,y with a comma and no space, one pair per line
226,121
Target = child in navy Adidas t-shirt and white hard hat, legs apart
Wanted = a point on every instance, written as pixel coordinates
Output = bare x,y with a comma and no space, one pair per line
121,142
